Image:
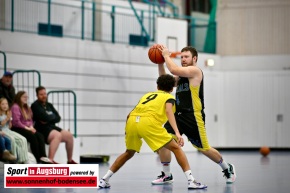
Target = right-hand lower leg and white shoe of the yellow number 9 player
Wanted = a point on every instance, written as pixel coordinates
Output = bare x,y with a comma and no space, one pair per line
183,162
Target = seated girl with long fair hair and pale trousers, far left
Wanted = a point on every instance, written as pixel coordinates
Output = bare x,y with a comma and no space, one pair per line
18,142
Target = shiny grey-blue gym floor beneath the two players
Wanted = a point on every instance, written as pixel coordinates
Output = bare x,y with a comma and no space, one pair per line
255,174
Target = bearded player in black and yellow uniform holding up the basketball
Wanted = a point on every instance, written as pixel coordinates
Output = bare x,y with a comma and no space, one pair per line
190,117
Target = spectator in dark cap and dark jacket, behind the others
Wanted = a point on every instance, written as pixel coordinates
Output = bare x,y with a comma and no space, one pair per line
7,90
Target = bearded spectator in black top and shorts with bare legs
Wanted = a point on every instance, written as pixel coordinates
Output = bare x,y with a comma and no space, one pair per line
45,117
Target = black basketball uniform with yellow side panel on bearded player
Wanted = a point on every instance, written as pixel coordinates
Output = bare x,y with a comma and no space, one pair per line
190,117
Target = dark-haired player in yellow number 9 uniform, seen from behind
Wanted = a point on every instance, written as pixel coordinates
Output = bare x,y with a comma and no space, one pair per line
146,121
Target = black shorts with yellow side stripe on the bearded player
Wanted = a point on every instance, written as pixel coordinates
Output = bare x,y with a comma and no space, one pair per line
192,125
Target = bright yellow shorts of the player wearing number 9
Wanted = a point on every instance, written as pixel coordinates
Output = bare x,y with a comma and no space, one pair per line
147,128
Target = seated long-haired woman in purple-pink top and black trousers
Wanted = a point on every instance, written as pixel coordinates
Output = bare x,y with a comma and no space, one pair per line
22,123
